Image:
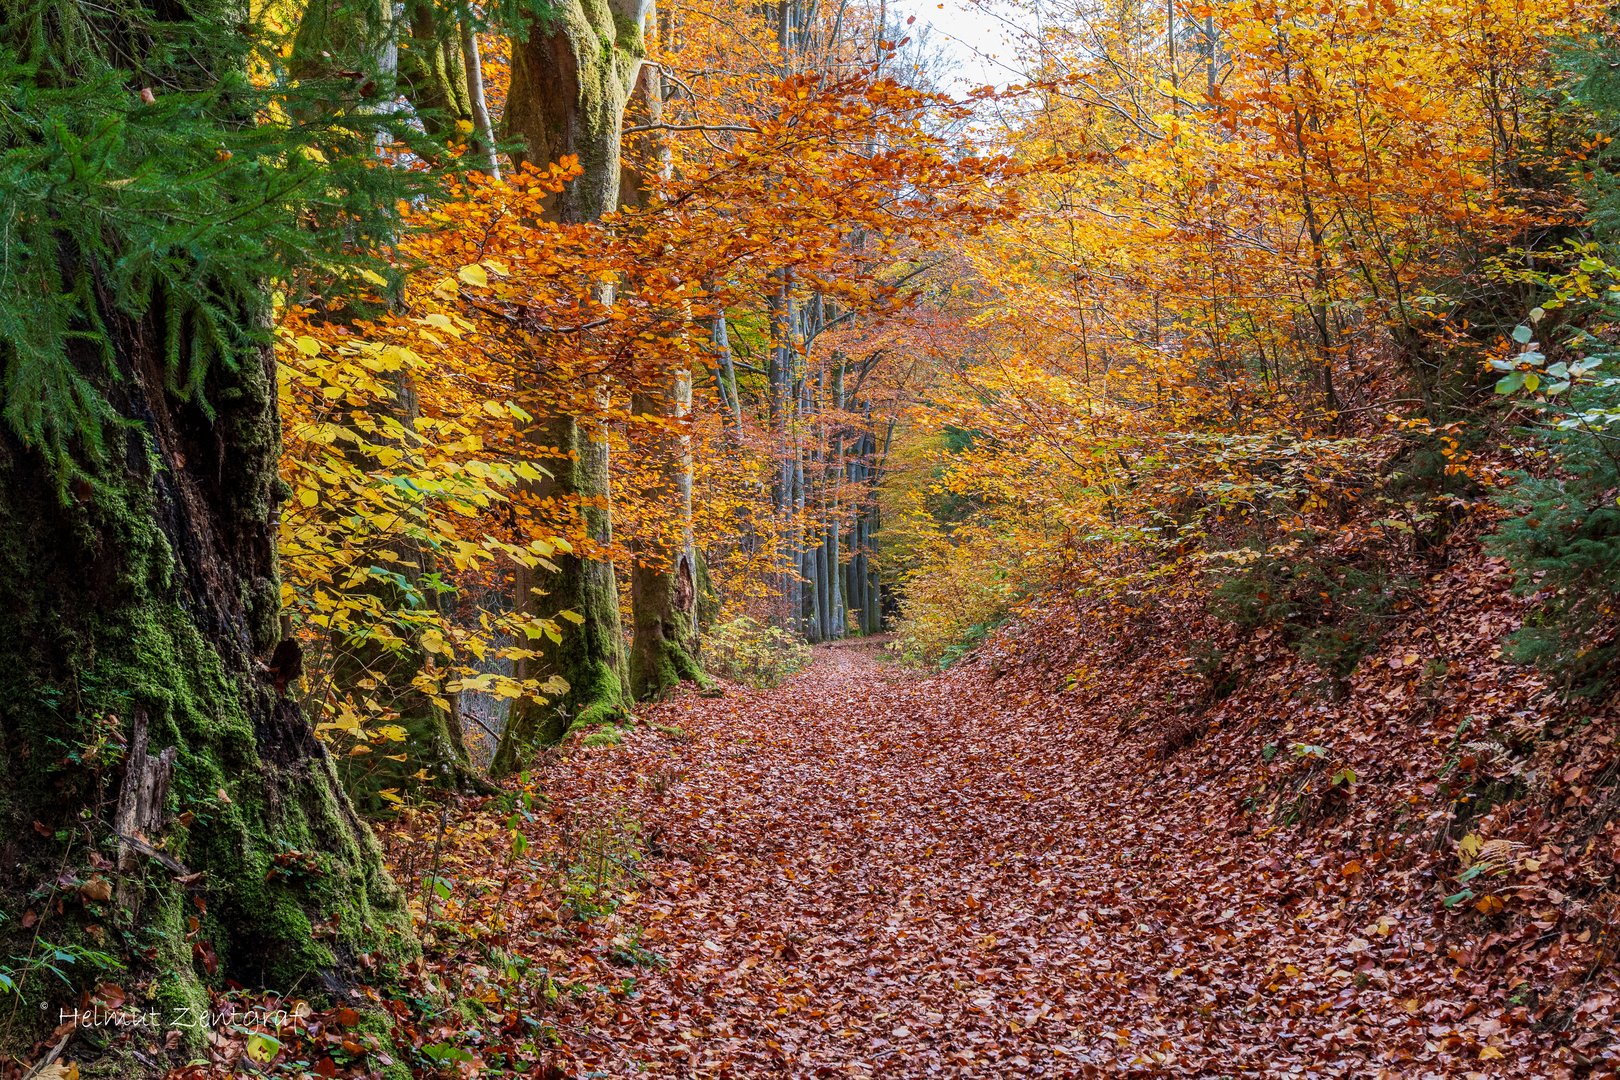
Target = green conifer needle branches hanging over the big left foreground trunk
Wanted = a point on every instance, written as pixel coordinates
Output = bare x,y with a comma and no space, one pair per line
160,164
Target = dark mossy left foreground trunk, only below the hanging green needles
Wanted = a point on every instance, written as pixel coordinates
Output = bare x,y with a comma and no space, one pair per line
153,590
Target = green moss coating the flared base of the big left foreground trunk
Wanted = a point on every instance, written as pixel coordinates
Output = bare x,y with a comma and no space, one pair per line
106,621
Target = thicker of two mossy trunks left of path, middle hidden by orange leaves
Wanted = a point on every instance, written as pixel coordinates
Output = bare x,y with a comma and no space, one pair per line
571,82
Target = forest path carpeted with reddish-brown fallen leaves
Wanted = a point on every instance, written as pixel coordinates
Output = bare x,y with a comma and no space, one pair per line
874,874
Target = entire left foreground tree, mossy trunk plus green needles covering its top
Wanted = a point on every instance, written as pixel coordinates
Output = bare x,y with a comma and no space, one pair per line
153,770
